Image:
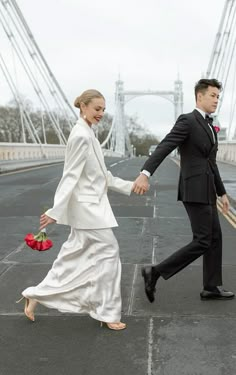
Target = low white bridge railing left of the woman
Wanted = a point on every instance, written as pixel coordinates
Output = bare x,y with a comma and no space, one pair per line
22,151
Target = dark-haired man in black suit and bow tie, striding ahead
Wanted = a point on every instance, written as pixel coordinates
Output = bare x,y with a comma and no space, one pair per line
199,186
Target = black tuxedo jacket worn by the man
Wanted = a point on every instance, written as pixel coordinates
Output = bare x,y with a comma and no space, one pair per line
199,179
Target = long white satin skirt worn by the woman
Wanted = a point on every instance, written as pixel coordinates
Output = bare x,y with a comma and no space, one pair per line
85,277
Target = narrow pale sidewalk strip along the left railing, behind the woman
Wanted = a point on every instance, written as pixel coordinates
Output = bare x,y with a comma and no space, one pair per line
16,165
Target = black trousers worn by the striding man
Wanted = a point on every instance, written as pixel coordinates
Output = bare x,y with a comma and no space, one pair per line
207,241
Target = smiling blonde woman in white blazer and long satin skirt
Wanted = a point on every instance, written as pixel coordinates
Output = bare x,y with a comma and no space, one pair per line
85,277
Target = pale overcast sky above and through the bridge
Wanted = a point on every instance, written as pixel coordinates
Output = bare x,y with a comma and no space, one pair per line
88,43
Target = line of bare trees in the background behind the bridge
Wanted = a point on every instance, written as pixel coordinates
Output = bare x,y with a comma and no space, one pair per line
13,129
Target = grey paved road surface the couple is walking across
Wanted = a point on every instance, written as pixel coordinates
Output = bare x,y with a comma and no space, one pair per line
176,335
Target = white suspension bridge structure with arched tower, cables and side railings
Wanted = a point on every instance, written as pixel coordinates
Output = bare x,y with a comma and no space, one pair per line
50,95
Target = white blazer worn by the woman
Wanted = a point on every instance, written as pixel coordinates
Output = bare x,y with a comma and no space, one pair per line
81,197
